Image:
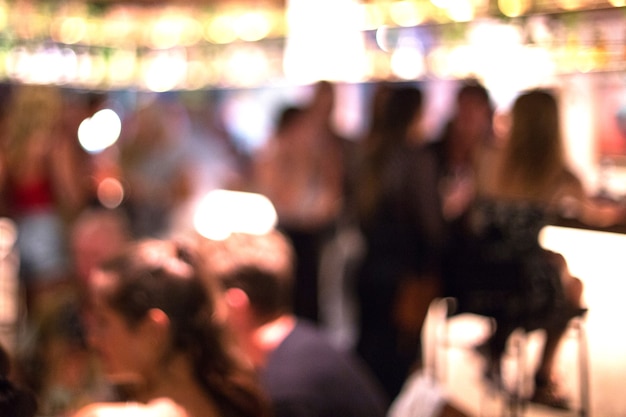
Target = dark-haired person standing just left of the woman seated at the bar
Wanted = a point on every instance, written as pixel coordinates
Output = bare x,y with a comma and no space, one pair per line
449,167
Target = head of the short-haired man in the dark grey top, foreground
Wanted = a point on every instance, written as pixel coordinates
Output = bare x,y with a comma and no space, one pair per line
260,266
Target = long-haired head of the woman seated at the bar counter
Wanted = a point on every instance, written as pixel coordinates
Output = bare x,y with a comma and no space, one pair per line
534,150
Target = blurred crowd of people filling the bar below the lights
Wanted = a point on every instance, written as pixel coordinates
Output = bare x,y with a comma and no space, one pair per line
390,221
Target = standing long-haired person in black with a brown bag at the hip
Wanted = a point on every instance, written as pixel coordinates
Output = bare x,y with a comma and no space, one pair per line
394,284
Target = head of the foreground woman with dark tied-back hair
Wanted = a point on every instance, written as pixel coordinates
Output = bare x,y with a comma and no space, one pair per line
149,304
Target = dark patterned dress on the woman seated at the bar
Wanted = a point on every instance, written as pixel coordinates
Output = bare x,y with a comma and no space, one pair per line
500,268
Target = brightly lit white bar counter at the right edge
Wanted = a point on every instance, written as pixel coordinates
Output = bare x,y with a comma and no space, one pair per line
598,257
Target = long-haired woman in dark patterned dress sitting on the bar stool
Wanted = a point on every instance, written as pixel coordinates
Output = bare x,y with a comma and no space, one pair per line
532,185
